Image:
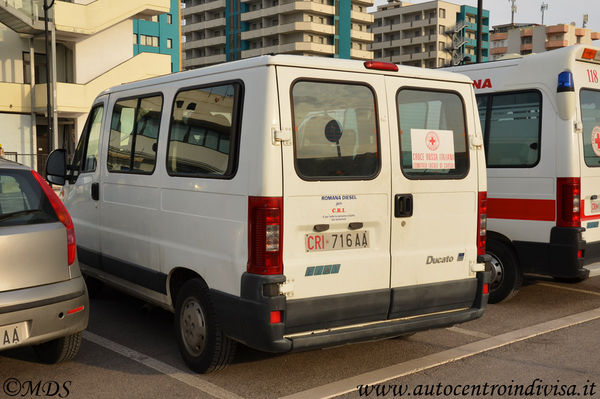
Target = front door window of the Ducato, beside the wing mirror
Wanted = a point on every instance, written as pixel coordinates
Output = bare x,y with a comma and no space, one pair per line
85,158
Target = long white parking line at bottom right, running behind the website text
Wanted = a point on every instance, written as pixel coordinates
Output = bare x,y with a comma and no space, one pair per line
348,385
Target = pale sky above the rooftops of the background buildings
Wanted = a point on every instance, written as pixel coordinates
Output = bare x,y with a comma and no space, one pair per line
528,11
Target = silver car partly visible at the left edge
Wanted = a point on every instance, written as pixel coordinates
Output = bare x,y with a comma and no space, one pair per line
43,298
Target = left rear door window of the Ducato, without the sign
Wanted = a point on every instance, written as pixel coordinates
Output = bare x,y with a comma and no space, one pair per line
336,135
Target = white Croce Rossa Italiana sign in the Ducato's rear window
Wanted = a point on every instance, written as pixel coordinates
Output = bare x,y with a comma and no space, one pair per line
432,149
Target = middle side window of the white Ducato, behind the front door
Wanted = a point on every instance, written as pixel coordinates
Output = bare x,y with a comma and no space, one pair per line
133,135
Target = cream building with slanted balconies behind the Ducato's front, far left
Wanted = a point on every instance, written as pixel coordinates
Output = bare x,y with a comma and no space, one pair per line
93,50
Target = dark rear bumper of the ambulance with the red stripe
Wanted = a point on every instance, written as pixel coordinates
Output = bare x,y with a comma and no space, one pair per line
559,257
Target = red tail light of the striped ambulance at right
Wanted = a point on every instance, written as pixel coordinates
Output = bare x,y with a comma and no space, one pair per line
568,192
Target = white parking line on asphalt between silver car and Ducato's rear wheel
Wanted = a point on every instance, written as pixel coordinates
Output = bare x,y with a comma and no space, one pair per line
187,378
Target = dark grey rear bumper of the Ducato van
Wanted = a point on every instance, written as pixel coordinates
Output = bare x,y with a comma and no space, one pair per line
247,318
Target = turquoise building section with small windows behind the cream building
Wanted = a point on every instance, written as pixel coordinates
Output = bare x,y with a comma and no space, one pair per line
161,34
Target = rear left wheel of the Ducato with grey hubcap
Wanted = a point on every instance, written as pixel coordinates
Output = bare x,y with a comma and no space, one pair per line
202,343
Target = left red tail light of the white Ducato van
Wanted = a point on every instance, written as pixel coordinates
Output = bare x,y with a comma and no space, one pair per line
265,229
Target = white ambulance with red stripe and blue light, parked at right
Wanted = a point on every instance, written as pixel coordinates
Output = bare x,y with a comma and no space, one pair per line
541,118
